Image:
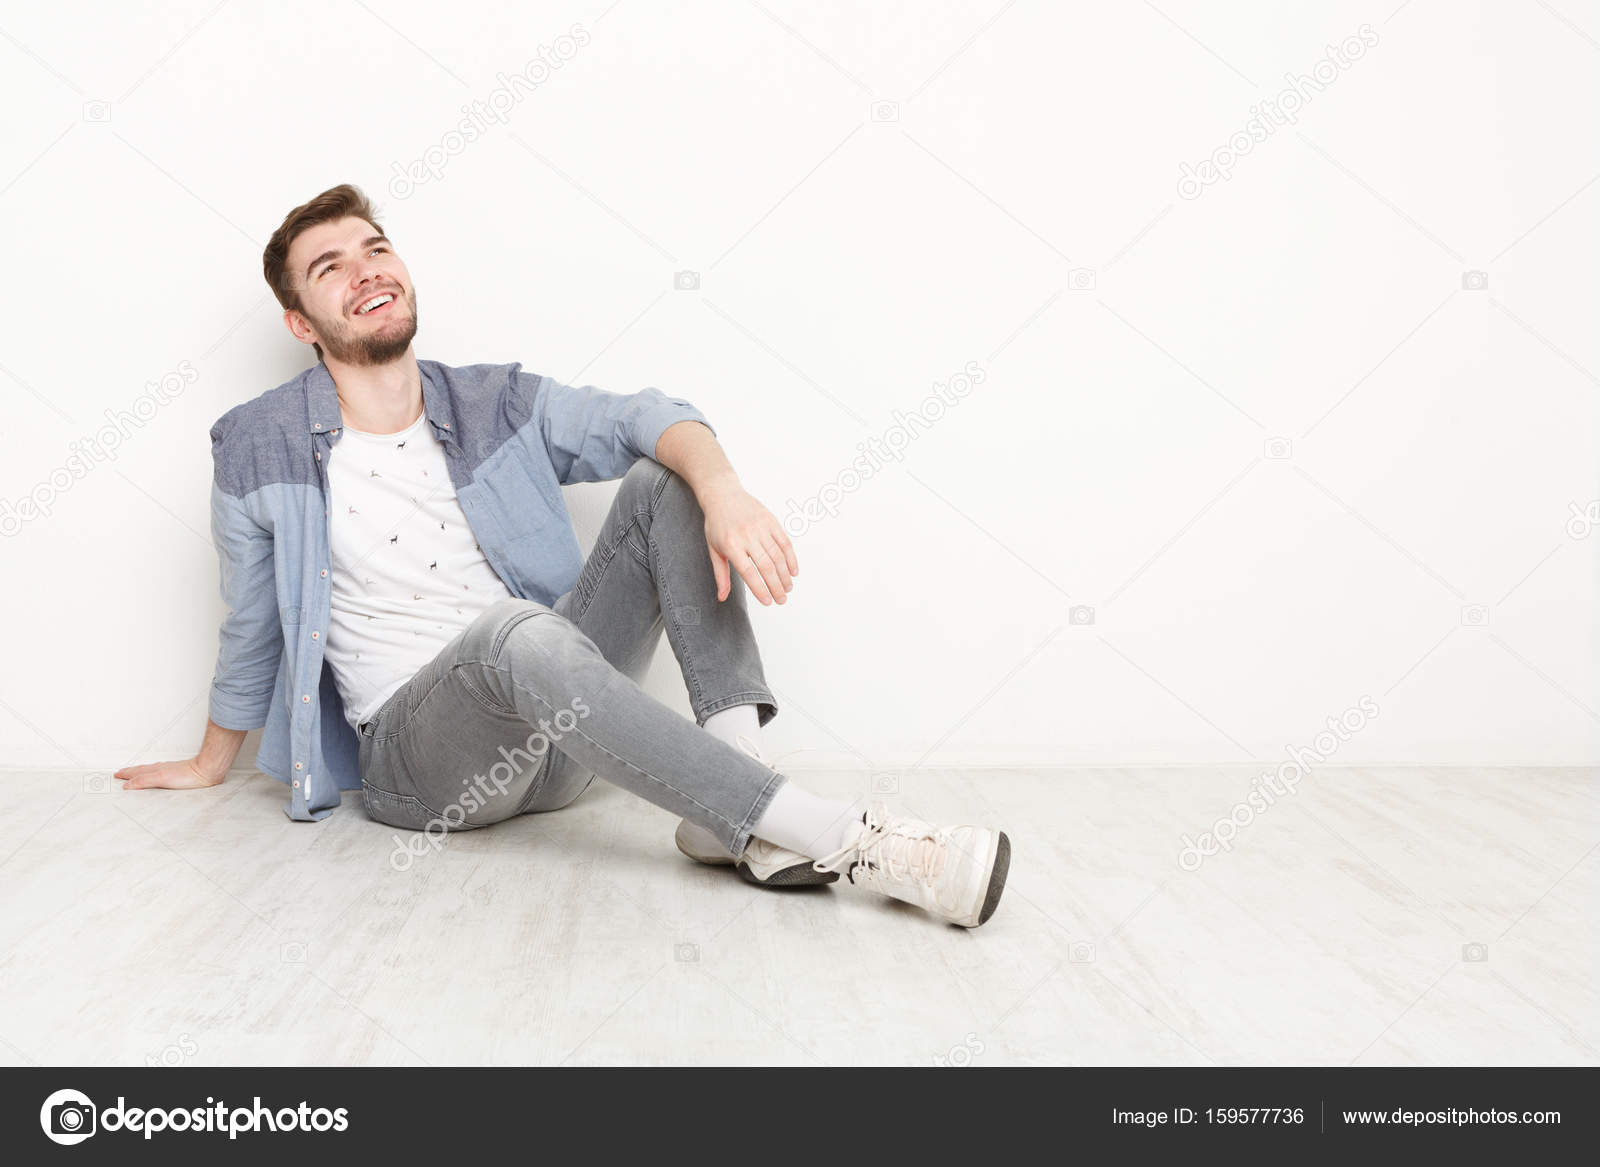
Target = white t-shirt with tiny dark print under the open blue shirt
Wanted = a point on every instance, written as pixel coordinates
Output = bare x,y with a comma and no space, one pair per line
409,575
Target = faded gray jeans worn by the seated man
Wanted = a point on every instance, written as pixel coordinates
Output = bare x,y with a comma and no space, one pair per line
530,704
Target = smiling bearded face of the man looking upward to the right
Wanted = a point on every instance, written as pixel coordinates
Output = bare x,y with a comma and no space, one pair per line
342,268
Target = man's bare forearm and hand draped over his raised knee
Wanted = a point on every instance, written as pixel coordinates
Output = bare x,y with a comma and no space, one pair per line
738,529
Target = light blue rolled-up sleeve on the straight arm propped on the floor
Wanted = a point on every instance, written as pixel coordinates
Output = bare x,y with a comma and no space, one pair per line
252,638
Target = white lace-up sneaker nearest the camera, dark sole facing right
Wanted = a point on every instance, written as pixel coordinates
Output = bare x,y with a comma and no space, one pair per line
956,873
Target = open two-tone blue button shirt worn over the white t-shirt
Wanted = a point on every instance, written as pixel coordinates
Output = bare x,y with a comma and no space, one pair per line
511,439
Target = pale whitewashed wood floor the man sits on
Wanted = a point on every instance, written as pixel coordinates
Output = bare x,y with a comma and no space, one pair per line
209,929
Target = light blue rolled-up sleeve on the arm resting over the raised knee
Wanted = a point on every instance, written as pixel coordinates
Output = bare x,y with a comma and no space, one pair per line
596,436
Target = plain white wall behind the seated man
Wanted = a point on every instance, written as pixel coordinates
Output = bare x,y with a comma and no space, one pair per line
1441,438
